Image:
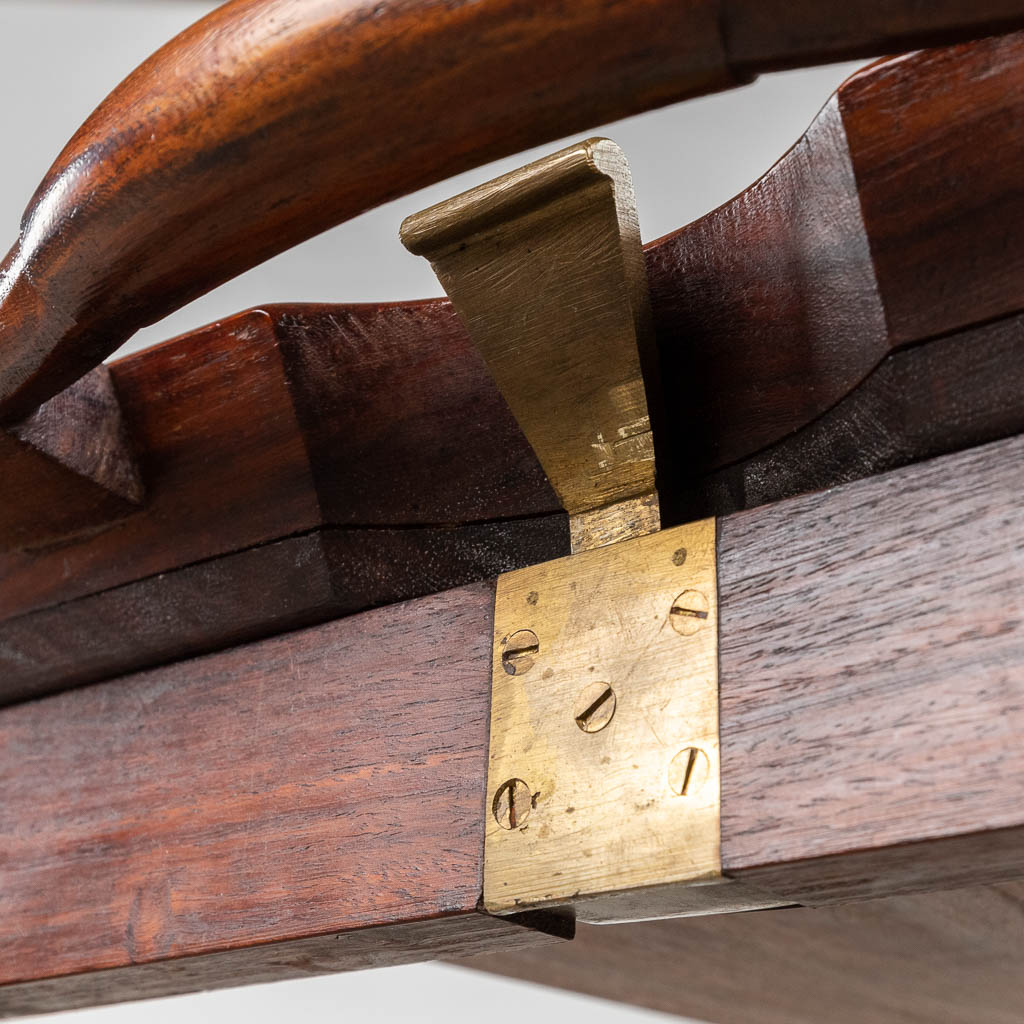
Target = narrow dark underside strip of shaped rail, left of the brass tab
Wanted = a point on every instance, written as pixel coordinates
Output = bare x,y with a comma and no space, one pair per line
265,590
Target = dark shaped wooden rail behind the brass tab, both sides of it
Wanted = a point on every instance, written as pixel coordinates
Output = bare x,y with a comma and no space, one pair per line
783,376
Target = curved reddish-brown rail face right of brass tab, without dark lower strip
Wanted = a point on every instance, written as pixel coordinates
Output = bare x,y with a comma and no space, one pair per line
899,199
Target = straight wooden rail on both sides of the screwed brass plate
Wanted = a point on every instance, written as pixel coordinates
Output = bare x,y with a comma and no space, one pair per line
334,779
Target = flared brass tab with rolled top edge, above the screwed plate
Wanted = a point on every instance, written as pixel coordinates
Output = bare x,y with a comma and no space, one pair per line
545,270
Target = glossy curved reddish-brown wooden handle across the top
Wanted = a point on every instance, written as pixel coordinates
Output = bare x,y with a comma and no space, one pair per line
272,120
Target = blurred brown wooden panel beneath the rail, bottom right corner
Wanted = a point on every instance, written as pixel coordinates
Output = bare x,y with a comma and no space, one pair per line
950,958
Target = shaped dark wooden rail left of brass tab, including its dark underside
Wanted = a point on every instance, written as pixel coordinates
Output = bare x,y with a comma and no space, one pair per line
333,500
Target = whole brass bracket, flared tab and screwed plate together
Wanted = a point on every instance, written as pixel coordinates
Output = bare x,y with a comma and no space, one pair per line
605,787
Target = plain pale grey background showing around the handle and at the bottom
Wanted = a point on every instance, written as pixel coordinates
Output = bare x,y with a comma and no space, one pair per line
58,61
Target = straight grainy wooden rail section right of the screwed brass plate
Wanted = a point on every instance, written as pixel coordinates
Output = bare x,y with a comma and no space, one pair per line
873,680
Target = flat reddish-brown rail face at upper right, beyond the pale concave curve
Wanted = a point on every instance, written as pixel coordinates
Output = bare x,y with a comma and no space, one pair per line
943,209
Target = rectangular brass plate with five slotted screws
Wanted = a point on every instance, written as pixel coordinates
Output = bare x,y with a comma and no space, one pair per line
605,779
